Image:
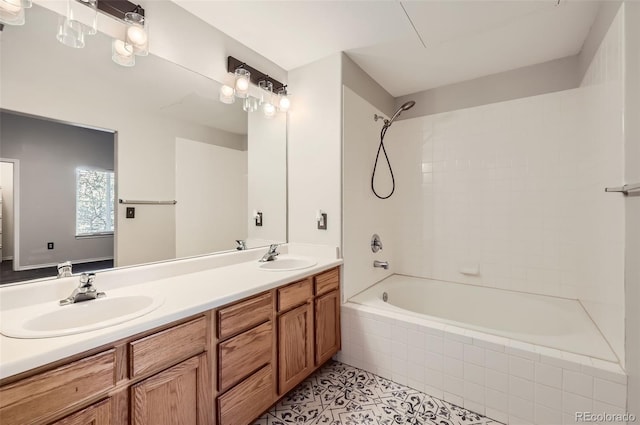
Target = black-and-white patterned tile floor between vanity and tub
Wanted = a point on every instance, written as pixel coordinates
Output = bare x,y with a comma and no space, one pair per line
339,394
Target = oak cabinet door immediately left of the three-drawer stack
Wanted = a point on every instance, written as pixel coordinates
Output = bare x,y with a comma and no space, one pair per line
176,396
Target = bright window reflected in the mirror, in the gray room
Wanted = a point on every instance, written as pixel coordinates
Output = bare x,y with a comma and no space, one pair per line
95,196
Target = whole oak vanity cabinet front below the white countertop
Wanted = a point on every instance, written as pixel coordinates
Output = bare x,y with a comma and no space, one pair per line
221,367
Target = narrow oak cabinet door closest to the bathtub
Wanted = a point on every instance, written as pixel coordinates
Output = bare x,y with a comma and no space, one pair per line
327,326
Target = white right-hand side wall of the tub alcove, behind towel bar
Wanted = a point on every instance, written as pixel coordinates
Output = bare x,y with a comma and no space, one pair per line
602,290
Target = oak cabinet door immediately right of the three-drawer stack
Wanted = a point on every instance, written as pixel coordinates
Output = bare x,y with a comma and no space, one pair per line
295,346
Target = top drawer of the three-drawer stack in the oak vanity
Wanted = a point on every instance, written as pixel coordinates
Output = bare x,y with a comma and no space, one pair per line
244,315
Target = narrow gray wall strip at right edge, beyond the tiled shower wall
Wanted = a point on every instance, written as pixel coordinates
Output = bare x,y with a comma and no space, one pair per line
632,154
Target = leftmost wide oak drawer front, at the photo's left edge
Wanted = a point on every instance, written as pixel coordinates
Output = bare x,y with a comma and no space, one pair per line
33,399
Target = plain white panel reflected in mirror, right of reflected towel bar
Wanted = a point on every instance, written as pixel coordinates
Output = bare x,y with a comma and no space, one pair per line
211,188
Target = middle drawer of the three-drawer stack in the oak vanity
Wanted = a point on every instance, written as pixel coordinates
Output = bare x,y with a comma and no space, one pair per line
243,354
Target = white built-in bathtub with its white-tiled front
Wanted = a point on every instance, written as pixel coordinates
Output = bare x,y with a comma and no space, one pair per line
515,357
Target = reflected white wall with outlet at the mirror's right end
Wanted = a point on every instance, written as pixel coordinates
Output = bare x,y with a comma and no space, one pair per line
266,178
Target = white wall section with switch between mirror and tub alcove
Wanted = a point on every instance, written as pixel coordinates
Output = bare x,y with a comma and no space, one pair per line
314,152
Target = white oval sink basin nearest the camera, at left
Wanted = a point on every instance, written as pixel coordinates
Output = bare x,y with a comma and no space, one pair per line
51,320
